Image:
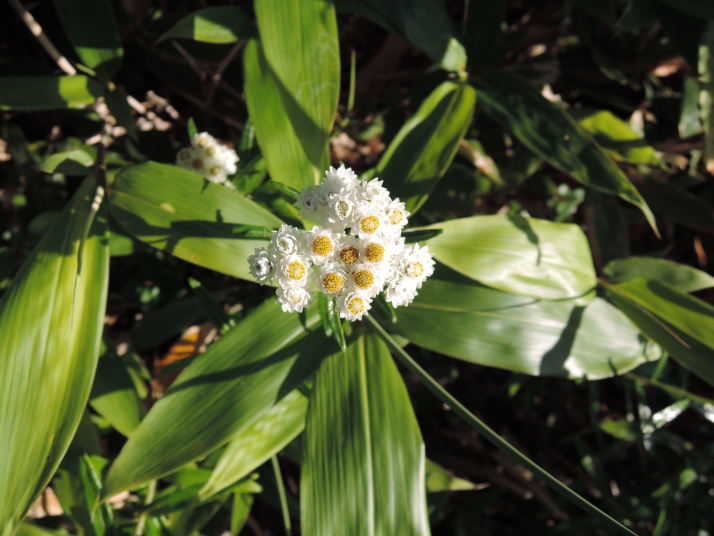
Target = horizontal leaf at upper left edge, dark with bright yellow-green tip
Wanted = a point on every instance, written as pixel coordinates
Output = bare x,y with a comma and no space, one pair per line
47,92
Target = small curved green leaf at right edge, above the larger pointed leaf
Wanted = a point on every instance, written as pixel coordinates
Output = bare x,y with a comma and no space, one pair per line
680,276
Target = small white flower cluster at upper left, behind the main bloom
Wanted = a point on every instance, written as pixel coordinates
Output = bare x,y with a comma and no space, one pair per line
209,158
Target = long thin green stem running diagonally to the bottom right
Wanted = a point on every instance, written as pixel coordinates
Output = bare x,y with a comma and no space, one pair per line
489,434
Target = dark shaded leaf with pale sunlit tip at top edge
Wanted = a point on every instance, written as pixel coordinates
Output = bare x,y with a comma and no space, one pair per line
426,24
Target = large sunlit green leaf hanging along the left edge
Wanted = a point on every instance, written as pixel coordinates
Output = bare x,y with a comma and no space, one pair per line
51,318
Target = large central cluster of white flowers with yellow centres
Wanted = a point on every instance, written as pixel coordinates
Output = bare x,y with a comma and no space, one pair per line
353,253
